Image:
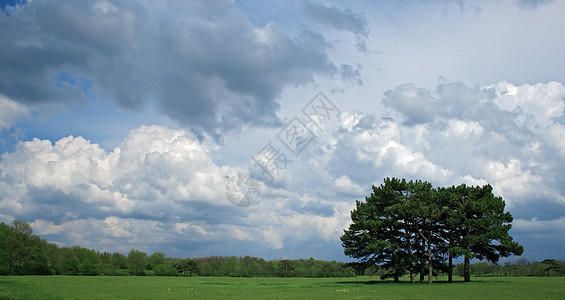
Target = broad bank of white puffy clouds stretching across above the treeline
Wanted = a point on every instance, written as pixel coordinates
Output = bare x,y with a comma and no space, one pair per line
167,181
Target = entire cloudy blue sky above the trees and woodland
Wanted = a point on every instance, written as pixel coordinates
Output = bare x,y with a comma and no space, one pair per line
123,123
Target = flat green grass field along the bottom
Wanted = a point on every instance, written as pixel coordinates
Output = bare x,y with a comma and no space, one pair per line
103,287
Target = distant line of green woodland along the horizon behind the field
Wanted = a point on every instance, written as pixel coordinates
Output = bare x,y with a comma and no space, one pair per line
23,253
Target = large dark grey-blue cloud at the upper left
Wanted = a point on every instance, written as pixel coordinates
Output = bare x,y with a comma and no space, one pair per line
202,63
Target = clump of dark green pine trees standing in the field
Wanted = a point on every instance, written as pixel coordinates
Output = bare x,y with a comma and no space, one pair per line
410,227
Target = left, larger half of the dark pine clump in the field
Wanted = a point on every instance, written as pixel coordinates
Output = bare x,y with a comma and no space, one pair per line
395,229
